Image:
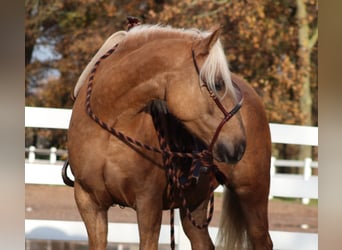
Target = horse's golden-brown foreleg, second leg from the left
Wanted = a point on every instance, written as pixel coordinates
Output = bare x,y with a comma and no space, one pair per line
149,217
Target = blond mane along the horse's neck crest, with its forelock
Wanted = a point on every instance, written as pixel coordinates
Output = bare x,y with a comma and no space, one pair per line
215,65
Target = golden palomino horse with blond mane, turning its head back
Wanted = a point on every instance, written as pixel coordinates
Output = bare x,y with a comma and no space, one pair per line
150,130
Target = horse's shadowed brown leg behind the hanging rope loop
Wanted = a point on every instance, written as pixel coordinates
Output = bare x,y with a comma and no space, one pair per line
199,238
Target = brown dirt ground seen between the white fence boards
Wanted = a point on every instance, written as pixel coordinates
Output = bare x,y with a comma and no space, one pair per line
57,203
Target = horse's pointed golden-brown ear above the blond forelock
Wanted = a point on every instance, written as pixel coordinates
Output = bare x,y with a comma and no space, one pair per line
203,46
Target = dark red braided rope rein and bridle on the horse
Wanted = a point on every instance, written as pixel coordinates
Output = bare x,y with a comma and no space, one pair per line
201,161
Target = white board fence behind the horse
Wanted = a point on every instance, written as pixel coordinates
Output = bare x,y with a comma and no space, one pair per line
282,185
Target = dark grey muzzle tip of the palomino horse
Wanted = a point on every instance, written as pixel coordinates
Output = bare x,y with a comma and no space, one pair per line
228,152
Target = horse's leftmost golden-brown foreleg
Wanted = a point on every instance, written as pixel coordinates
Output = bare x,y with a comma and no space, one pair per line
95,218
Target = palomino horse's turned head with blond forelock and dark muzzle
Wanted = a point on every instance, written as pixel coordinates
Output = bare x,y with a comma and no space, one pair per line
195,81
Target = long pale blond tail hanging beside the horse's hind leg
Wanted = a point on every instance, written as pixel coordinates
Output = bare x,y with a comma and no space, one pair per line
232,232
